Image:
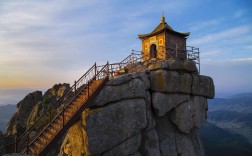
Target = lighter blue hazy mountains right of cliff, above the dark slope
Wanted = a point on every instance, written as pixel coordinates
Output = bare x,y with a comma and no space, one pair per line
234,114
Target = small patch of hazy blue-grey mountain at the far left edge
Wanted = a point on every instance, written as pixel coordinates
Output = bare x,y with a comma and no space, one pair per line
5,114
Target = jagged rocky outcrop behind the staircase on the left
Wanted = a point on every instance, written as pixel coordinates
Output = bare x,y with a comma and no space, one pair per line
32,106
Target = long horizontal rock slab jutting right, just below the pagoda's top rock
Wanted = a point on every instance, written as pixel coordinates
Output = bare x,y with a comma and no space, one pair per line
180,82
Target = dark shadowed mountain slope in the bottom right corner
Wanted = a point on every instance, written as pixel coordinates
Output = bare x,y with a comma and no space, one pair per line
219,142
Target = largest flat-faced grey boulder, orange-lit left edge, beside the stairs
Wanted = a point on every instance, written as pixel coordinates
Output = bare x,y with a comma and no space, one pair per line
111,125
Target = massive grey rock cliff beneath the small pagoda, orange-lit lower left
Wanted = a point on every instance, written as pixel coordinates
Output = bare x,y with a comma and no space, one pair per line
153,113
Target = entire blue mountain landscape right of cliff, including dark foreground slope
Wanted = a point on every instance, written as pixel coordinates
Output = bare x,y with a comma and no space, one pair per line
229,131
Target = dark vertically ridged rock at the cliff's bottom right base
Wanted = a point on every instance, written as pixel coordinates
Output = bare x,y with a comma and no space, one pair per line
172,142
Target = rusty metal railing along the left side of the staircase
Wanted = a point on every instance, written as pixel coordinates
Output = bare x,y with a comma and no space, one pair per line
54,110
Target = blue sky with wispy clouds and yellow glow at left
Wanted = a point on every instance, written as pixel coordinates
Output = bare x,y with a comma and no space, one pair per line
45,42
